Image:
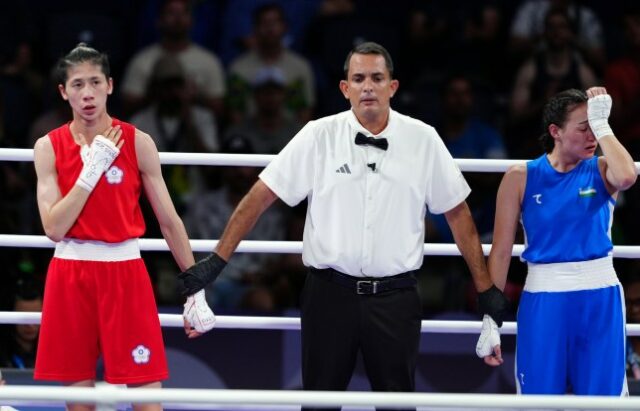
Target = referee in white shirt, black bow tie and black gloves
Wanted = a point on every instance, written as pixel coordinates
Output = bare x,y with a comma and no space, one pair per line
369,174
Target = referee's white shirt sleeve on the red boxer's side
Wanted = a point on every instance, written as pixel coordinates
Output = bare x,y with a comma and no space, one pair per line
291,174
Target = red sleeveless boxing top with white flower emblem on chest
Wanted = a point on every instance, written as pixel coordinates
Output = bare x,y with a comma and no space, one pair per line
112,213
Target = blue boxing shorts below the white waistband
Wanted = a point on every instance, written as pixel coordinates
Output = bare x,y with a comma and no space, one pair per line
572,341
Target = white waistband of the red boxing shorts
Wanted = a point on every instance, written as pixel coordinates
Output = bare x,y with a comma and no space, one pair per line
89,250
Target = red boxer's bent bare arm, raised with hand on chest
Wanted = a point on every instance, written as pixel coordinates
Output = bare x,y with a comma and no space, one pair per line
57,213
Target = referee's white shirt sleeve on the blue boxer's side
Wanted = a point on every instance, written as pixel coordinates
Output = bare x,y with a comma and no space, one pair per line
446,186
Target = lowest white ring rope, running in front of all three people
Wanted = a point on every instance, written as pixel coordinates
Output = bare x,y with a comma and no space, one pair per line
111,396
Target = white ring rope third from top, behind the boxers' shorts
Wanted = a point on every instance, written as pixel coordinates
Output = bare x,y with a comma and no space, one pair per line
293,323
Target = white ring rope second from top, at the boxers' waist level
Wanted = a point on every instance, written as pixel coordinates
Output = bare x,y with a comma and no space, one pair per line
286,247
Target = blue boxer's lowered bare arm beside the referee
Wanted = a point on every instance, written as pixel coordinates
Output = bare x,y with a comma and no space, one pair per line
506,223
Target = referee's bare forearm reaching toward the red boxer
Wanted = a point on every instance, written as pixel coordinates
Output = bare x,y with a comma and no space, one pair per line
245,216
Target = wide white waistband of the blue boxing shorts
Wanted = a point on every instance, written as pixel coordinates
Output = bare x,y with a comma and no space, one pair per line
572,276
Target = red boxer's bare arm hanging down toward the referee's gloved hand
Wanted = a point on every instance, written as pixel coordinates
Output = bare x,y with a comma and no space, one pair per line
156,190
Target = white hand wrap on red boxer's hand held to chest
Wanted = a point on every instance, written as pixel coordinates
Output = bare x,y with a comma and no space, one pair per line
97,160
